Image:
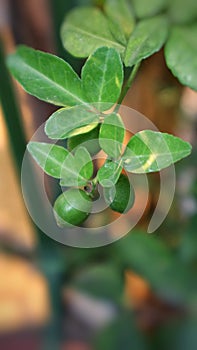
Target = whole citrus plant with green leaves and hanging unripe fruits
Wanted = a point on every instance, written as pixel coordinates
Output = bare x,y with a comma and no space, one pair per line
117,36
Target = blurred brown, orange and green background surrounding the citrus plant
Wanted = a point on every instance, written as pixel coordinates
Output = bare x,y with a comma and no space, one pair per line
138,293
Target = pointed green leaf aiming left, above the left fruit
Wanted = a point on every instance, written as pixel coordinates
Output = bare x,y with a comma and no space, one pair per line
49,157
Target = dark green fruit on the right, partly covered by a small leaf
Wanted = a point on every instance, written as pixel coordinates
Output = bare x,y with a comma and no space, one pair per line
120,197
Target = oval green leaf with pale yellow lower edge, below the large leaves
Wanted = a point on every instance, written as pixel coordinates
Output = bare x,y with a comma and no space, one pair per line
67,122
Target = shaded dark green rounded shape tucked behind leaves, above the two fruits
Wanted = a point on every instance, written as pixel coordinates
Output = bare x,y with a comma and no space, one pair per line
89,140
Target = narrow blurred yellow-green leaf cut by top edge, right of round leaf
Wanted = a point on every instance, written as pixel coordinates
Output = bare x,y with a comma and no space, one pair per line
121,14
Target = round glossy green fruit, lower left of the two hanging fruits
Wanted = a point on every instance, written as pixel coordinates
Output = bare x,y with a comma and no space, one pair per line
72,207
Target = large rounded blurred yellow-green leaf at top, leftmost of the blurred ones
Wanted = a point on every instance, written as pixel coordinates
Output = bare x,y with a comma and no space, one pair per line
84,30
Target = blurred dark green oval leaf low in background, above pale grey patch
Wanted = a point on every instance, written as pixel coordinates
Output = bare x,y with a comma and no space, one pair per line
101,281
